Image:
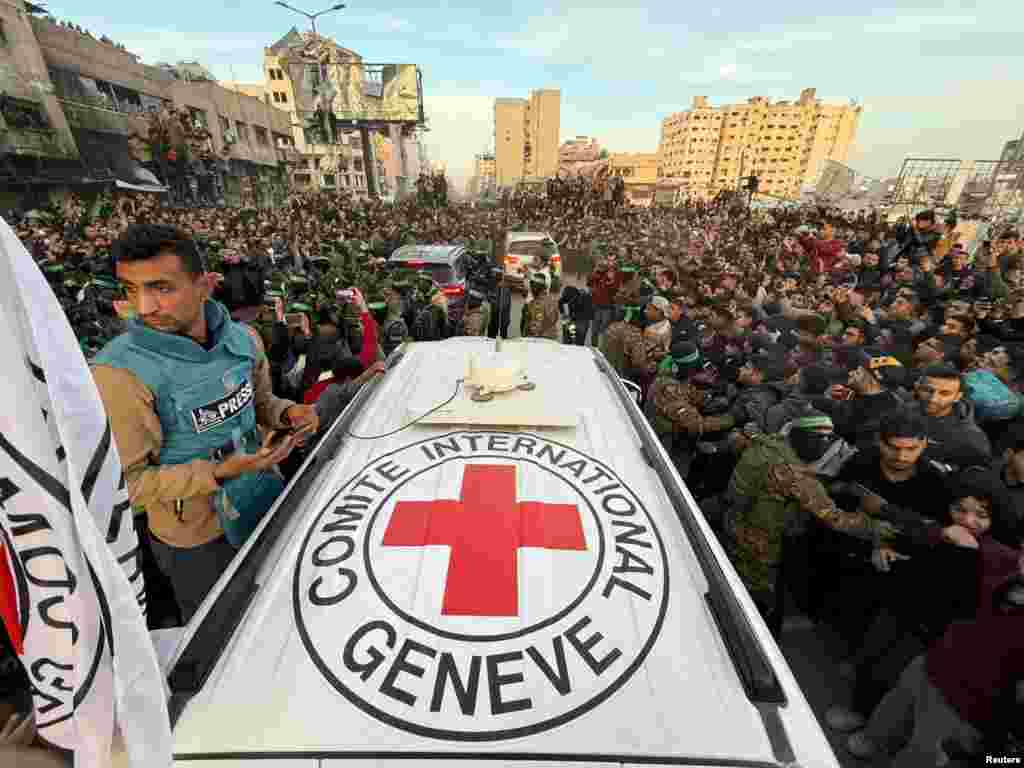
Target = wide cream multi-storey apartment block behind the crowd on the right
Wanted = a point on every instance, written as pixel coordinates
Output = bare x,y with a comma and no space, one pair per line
785,144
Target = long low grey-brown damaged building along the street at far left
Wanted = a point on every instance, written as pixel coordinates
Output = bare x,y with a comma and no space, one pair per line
78,106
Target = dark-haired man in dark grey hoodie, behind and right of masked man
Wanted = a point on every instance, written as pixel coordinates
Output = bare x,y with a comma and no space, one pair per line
954,438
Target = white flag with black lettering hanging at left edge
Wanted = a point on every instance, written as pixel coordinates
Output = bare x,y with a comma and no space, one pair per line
73,568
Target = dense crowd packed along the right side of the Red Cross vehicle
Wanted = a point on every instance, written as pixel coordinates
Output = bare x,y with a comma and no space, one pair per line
844,399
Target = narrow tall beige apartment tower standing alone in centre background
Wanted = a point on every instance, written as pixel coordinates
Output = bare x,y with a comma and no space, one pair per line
527,137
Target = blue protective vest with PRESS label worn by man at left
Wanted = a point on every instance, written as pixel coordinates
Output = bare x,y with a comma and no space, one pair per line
206,404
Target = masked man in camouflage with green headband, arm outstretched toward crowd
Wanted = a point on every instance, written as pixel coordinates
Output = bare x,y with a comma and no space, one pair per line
774,494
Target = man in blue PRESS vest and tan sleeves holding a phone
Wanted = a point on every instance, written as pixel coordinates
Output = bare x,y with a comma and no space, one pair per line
188,391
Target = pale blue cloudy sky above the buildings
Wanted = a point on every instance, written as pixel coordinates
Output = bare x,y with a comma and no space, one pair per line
935,80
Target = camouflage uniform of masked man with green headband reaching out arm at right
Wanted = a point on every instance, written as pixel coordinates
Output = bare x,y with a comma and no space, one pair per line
773,496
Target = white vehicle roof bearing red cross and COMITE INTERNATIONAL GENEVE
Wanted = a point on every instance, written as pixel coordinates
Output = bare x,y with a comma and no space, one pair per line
504,595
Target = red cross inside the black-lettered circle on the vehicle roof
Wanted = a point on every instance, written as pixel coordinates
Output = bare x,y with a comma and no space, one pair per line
486,529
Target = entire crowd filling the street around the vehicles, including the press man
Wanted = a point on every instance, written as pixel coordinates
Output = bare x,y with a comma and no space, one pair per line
843,396
